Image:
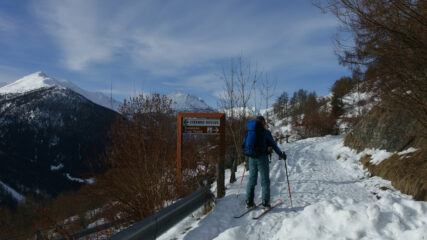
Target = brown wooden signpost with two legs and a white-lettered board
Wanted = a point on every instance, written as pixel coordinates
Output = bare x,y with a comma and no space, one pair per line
206,124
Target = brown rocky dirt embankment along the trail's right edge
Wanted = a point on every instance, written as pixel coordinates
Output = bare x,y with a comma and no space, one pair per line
394,132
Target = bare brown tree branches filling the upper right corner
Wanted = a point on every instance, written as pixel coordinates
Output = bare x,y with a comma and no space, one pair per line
391,46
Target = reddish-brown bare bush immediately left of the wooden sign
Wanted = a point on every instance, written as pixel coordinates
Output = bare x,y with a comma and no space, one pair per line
140,160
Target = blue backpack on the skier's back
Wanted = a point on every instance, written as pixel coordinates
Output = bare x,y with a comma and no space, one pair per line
254,138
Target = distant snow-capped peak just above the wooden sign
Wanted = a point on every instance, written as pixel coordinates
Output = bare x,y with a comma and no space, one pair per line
183,102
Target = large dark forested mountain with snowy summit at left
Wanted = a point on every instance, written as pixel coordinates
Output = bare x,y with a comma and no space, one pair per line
49,131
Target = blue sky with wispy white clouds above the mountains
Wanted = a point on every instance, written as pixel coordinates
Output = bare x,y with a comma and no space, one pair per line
162,46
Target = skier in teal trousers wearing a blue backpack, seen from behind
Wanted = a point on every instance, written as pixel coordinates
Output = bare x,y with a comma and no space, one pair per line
258,161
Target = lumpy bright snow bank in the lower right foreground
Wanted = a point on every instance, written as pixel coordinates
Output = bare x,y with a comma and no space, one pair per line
340,218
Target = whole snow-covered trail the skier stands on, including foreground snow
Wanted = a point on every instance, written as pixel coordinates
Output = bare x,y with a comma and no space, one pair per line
333,199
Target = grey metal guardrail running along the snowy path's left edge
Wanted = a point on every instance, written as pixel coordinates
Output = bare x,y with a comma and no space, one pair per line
160,222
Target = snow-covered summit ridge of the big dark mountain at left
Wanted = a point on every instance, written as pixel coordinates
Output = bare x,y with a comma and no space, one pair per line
40,80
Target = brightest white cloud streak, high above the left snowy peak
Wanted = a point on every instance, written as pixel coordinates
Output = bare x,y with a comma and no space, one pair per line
83,35
